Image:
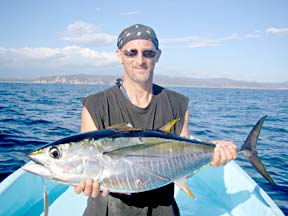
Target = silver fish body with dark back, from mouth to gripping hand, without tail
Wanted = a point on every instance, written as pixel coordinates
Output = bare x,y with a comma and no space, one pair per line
121,160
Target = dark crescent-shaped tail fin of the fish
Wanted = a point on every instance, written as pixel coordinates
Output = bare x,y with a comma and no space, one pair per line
250,151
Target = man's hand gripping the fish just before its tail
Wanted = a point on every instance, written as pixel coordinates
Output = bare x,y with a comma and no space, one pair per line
223,153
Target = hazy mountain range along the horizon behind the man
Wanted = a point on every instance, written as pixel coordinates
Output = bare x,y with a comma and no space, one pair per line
161,80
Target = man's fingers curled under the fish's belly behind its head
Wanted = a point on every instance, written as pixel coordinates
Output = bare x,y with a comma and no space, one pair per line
90,188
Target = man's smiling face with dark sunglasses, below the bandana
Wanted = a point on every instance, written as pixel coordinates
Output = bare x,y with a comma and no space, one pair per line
139,58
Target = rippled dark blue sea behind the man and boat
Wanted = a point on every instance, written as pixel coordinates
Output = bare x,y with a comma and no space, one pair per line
32,115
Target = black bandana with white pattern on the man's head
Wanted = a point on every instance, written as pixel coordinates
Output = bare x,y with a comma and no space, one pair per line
136,32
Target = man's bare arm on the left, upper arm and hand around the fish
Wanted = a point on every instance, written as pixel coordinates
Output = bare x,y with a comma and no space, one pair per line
89,187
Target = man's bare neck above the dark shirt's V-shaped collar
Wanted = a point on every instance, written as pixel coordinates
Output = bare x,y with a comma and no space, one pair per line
139,94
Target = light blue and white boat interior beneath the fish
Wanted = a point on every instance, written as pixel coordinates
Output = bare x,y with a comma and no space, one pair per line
227,190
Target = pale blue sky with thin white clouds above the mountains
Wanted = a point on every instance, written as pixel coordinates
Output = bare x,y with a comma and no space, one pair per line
237,39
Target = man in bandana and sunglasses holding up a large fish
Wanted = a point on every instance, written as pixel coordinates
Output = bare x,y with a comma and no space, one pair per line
138,101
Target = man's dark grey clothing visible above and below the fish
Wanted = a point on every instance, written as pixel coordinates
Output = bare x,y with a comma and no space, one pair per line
111,107
